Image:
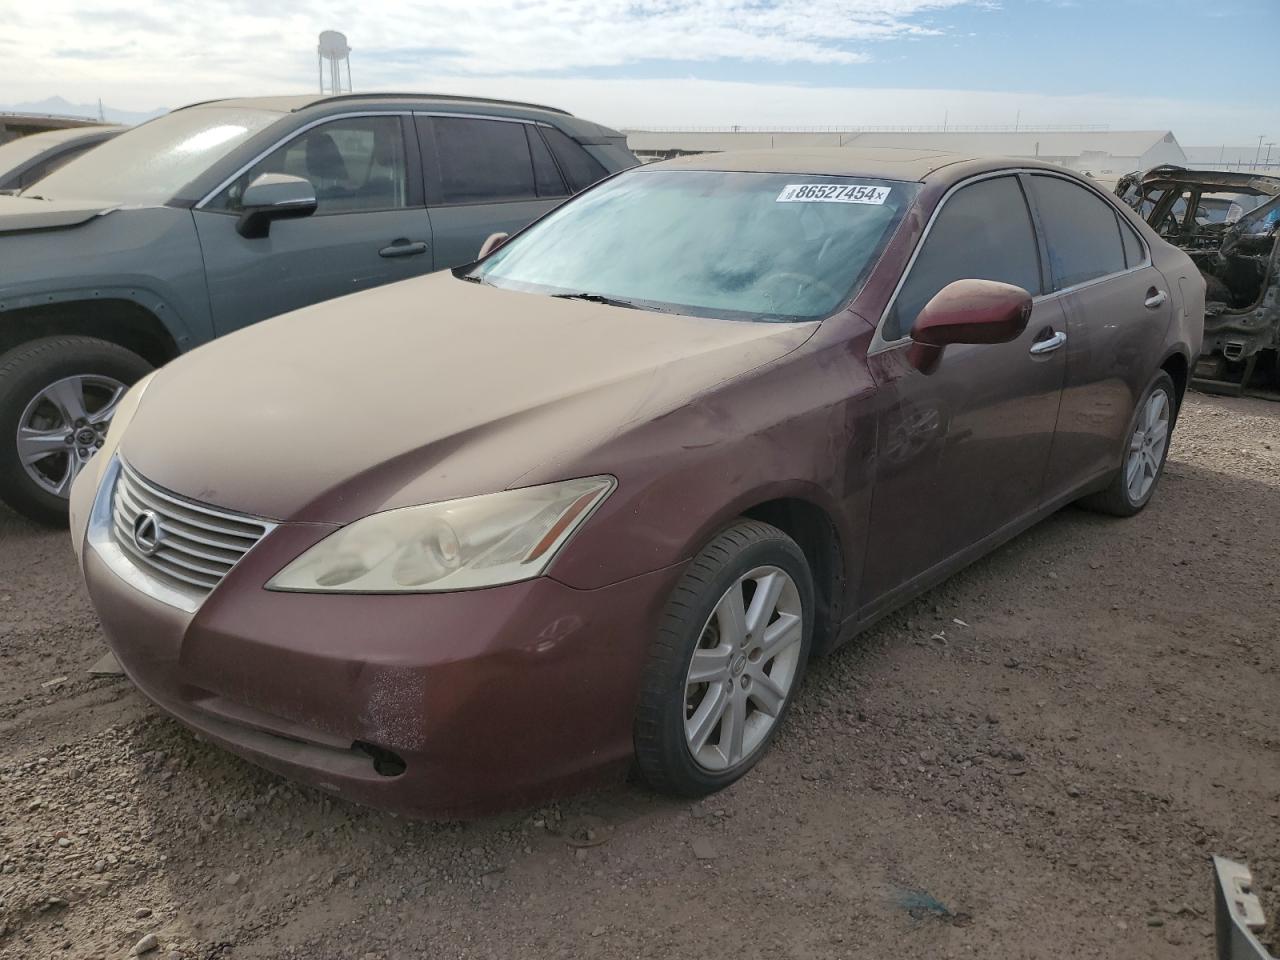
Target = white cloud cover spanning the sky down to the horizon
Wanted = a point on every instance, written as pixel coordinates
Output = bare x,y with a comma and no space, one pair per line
179,52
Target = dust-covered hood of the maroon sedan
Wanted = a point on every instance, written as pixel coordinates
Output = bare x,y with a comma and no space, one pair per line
422,391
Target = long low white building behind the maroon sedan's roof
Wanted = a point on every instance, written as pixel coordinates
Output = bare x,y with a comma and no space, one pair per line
1104,154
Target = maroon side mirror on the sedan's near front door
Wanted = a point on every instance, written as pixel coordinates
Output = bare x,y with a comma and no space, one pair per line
968,312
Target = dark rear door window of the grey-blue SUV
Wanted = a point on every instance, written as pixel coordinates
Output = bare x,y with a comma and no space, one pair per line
483,162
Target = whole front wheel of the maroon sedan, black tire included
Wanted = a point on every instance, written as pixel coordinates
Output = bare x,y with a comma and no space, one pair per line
748,674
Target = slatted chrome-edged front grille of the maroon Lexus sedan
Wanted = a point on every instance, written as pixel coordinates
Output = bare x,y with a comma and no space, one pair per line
200,545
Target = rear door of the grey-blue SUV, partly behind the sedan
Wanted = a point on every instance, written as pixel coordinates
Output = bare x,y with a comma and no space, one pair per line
484,176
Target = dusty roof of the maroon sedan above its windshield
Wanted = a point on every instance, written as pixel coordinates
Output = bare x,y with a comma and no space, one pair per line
876,163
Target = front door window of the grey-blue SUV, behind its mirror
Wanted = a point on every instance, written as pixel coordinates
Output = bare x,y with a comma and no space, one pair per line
355,166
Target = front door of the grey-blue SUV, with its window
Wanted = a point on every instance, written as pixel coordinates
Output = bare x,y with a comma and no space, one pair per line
371,226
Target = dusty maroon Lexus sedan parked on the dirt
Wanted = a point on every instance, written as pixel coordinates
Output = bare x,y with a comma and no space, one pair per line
467,540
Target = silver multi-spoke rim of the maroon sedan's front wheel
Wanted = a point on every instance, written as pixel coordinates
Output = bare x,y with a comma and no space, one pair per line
743,670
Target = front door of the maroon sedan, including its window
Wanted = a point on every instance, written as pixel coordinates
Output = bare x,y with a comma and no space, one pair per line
962,451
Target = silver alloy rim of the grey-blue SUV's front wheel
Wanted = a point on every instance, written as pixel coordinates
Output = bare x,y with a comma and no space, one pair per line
63,427
